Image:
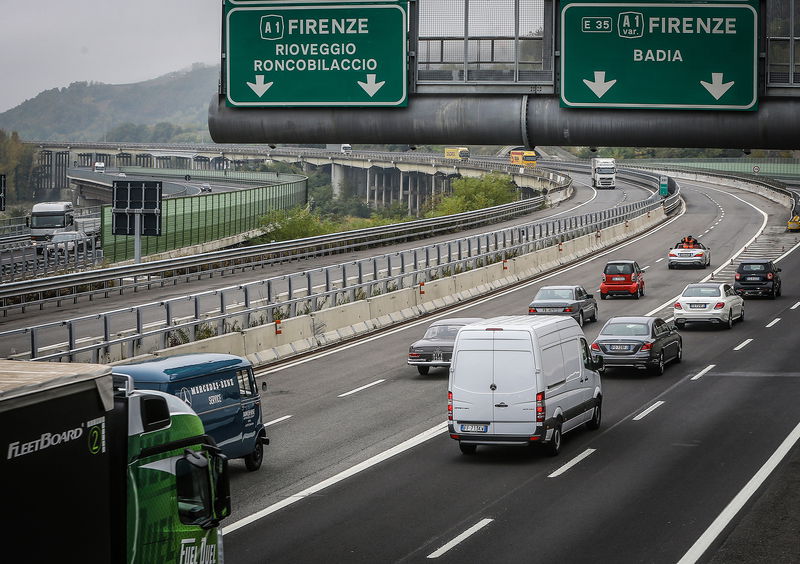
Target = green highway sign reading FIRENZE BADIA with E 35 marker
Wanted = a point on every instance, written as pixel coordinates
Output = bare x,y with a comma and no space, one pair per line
659,55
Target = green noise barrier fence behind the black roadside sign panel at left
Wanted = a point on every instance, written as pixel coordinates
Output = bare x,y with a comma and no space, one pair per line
198,219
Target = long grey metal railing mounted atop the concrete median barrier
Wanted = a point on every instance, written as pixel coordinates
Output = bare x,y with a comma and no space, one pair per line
286,296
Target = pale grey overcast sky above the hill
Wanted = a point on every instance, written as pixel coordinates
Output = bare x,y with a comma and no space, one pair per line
50,43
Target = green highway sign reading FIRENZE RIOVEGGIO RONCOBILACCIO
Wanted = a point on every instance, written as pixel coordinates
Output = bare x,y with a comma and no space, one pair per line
316,54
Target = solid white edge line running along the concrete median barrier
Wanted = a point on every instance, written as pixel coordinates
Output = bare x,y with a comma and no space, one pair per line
429,319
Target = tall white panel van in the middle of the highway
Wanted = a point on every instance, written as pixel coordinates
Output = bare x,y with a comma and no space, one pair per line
522,380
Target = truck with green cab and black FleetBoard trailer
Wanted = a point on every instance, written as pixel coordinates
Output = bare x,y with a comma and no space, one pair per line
95,471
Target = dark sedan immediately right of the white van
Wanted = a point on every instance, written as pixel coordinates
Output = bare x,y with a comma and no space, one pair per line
646,343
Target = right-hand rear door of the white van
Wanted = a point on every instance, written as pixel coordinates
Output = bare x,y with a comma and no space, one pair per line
514,399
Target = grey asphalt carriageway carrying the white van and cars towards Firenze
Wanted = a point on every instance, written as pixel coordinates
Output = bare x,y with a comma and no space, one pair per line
647,490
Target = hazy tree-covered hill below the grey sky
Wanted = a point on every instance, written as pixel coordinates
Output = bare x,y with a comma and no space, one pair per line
93,111
